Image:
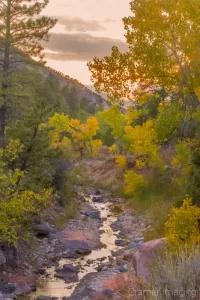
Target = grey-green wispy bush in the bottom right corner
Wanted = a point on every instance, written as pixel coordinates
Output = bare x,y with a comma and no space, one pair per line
176,276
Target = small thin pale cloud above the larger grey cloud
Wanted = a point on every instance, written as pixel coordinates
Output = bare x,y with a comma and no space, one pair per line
79,25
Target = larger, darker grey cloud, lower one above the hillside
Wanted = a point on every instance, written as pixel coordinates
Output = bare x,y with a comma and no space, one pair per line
80,47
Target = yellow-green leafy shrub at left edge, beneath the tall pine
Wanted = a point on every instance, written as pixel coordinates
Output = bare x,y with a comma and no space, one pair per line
17,203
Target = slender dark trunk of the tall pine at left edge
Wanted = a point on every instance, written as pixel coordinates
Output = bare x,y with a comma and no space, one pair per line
6,65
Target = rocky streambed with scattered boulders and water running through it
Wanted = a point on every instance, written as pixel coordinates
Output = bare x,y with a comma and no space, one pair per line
91,258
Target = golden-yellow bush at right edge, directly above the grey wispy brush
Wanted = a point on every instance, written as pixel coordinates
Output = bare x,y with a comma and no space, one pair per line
182,227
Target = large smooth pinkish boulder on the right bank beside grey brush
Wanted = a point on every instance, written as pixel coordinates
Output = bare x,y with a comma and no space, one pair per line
145,255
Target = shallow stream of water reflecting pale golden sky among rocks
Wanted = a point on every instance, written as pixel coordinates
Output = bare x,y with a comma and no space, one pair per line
49,285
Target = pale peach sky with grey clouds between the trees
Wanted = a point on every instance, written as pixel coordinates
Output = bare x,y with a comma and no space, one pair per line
85,29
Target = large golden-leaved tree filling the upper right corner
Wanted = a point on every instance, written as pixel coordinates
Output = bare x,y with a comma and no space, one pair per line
163,39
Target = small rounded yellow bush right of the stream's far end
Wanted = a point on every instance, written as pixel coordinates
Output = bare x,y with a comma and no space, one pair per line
133,182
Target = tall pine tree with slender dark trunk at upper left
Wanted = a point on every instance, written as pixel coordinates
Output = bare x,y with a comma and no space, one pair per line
20,34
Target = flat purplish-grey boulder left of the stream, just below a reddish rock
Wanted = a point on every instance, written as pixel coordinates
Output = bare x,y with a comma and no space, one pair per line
79,247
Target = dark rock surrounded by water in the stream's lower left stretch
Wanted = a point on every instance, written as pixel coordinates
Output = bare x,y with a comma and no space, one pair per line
69,273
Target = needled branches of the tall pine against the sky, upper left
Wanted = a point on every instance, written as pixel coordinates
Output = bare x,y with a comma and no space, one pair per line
21,26
